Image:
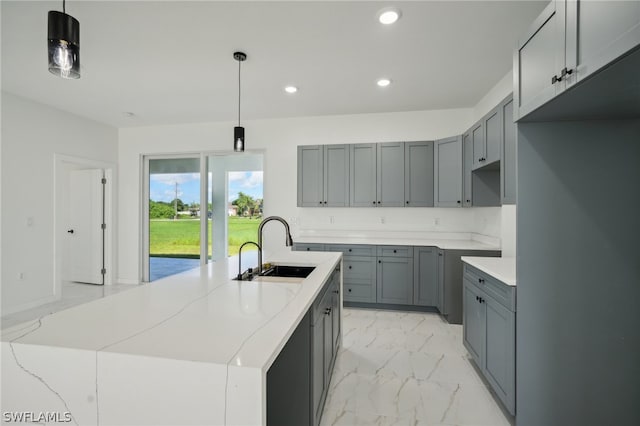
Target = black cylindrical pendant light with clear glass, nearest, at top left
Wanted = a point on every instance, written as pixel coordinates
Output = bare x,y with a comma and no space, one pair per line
64,44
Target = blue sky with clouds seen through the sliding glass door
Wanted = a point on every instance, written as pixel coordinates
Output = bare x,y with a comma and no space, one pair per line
163,186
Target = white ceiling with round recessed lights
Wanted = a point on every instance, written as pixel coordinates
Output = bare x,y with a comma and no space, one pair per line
171,61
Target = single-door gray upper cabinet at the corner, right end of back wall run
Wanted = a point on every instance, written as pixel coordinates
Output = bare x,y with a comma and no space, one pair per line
448,172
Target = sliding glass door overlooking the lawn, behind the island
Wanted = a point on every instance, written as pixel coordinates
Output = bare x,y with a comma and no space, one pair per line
197,209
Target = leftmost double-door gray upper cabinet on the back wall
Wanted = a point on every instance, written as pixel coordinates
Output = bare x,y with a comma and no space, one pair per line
323,176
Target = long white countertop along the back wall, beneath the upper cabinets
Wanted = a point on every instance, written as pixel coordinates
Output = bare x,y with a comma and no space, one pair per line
446,241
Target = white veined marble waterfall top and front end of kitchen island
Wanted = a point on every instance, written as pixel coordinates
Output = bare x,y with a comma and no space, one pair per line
194,348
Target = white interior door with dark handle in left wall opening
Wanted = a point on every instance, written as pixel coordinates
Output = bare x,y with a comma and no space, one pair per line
85,233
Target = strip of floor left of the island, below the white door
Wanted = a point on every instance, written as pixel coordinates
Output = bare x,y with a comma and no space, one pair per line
73,294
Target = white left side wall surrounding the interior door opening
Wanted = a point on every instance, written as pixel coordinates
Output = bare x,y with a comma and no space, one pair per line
31,134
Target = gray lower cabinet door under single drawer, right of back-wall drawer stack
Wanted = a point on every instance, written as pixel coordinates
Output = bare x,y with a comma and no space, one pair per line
395,280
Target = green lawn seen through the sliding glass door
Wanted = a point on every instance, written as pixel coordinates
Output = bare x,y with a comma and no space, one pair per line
181,238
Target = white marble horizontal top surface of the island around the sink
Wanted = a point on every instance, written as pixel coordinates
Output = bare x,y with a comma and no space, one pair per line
199,315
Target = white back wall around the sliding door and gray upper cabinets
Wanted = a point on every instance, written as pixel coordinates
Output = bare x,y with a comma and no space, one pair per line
278,139
